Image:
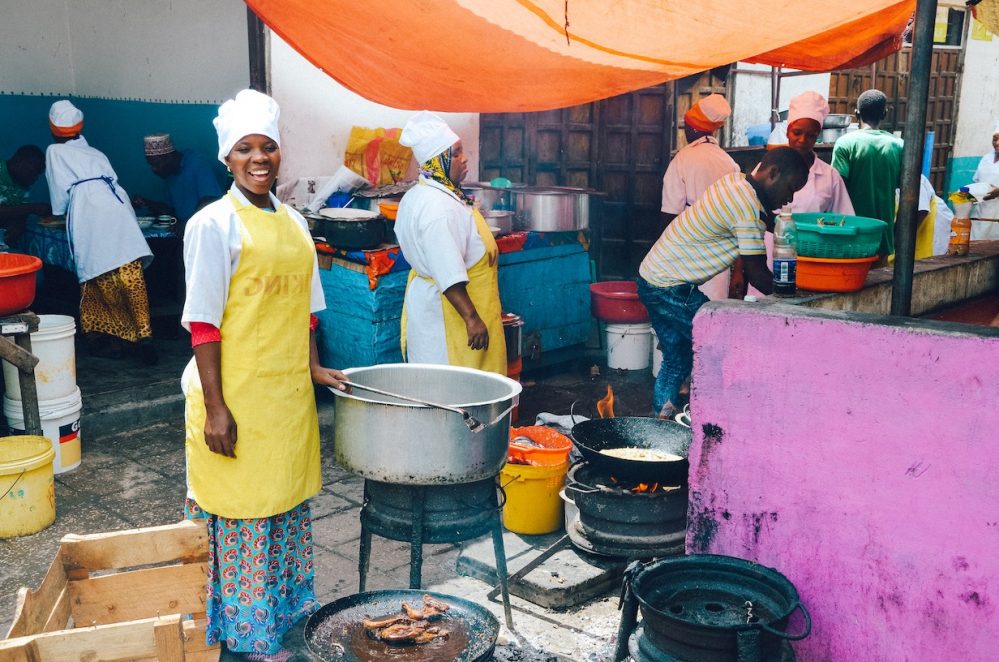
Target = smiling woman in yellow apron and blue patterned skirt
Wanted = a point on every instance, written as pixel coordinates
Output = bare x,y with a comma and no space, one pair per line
252,441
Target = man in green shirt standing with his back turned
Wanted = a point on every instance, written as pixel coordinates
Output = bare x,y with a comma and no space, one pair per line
870,161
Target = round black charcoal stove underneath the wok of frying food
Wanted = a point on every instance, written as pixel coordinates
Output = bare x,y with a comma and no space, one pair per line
614,520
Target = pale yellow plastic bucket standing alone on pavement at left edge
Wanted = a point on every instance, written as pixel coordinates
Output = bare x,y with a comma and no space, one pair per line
27,486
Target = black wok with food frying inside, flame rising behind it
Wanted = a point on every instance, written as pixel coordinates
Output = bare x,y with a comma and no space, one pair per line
599,434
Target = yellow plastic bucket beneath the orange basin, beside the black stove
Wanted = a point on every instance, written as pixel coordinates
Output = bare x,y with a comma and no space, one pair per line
533,505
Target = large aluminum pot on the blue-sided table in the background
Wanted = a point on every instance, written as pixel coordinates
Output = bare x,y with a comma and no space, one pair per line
552,209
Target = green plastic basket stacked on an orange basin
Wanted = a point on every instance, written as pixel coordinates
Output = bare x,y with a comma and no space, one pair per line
838,235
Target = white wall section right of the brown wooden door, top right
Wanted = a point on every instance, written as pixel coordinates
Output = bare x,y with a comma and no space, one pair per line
978,112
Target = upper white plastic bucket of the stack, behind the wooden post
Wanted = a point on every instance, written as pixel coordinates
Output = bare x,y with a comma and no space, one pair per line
55,374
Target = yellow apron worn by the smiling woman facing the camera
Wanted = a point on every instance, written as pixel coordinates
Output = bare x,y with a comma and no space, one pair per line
266,379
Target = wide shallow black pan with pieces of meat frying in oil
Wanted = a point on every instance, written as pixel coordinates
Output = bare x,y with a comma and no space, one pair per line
335,634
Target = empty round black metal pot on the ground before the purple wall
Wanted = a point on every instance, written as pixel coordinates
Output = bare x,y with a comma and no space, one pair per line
714,608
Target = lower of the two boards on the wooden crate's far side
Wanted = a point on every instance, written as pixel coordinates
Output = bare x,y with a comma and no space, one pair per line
139,594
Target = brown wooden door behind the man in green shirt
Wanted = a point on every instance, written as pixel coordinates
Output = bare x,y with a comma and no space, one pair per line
891,76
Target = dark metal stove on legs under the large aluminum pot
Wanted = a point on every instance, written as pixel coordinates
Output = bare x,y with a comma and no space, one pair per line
432,514
